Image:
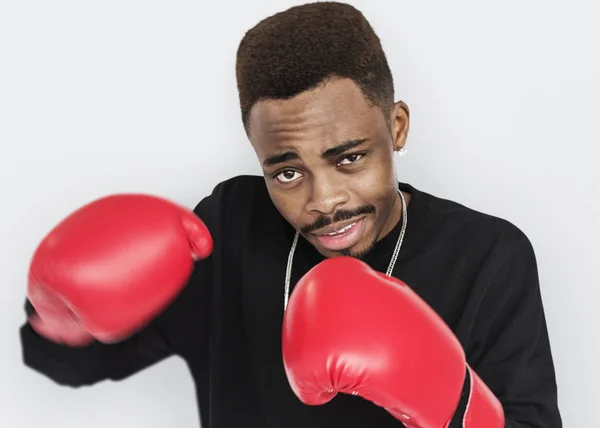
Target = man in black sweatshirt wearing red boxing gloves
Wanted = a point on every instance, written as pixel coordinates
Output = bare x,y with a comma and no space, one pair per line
317,102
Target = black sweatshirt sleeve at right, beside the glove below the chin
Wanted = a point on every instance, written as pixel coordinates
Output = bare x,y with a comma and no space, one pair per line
510,347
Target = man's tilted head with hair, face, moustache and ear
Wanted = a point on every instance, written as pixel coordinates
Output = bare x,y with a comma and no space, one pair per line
316,96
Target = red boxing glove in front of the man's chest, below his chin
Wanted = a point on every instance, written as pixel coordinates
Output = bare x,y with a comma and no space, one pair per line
352,330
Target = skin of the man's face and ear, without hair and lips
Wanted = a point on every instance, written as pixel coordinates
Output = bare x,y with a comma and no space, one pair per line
328,158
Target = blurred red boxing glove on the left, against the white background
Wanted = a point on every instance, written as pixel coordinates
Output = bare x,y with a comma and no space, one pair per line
109,267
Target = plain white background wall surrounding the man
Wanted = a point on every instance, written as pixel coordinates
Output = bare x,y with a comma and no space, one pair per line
119,96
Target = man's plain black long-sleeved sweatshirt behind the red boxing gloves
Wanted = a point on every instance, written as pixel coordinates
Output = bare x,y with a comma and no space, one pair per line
476,271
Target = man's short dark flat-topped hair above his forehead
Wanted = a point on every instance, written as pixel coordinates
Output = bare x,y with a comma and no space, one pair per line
296,50
